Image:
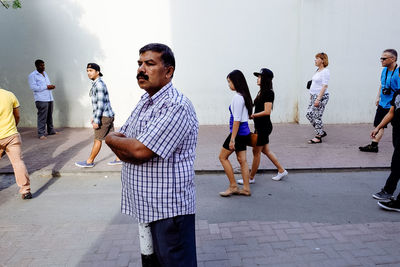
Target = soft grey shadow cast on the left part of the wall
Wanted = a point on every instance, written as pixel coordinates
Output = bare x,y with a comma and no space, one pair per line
49,30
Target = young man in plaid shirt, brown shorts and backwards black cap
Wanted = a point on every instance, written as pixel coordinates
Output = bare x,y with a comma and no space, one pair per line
103,115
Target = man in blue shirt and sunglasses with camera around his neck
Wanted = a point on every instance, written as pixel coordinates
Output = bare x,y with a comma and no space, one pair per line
389,84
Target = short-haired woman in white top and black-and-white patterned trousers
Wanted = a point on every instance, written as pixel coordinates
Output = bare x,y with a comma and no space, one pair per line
319,97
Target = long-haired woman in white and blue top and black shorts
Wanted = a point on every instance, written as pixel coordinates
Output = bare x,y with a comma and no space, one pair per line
240,110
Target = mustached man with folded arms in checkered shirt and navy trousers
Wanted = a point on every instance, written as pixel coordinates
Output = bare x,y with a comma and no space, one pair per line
157,145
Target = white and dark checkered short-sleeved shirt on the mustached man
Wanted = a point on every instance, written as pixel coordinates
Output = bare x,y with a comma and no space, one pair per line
162,187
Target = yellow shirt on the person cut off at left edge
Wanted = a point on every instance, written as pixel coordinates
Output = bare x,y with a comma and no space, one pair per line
8,102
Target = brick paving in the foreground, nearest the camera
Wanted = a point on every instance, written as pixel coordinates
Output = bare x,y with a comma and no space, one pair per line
243,243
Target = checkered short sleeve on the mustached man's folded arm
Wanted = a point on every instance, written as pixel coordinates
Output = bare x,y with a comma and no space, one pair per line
167,131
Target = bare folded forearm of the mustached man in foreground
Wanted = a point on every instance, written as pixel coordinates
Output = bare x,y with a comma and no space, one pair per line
129,149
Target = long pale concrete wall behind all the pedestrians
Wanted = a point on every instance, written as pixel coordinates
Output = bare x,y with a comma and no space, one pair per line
210,38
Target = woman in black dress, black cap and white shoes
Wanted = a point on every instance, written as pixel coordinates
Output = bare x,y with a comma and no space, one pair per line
262,124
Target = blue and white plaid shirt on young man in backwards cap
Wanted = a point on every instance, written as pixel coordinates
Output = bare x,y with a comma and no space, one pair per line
100,101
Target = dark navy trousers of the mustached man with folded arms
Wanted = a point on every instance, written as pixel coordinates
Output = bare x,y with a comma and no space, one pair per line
174,241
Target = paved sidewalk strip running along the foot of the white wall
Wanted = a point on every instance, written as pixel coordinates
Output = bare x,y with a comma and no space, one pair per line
339,149
